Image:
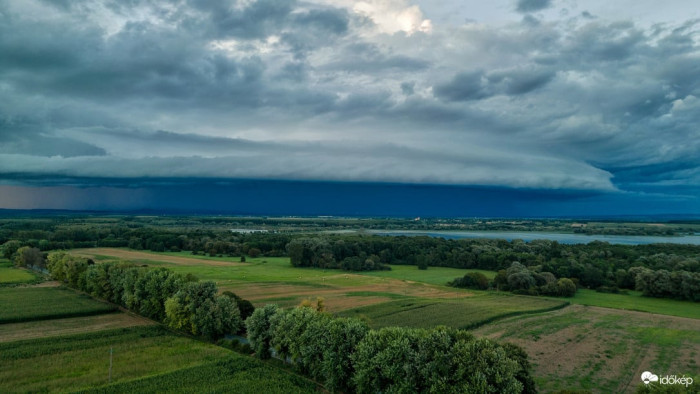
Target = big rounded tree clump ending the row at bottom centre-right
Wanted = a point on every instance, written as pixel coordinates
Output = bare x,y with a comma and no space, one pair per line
394,360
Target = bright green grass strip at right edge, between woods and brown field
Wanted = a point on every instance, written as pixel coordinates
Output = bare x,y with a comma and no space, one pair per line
636,302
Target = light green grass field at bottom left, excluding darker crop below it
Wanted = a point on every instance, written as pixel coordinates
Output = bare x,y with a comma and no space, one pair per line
77,362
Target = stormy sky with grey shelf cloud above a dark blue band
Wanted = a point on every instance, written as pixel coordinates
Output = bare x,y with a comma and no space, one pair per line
377,107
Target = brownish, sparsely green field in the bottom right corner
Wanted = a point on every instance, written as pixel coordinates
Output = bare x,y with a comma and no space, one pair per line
600,349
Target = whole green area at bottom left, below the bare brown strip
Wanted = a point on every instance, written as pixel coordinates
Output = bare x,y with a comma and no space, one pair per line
80,362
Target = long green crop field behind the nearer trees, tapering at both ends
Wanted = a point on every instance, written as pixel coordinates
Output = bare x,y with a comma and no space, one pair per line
464,313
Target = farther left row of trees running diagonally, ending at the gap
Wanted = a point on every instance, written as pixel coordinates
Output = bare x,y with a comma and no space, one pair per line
180,301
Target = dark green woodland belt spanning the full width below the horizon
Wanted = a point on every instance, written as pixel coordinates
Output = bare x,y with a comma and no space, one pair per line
597,265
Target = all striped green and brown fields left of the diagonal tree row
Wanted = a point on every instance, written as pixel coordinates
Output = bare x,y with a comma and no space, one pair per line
47,353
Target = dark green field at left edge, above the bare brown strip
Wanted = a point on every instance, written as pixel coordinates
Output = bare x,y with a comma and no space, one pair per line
20,304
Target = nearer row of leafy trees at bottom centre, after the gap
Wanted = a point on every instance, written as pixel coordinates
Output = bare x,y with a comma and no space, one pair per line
346,356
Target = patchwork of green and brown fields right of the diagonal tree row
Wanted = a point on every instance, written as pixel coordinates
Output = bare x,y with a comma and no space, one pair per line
571,347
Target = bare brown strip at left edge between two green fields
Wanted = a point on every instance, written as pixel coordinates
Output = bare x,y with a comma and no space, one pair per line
74,325
